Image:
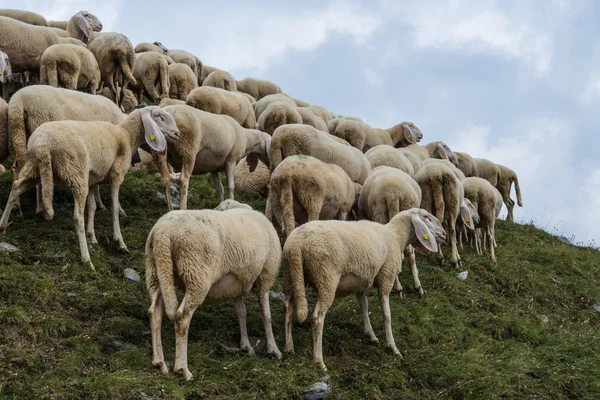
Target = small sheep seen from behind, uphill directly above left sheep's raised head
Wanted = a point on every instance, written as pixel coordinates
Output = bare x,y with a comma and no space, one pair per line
151,70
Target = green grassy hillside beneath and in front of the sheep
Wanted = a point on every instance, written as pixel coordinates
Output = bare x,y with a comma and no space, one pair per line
68,333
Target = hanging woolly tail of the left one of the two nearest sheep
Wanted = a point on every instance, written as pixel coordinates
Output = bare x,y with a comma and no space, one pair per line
163,264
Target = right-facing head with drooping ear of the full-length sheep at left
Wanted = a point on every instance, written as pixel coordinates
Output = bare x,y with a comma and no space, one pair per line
158,123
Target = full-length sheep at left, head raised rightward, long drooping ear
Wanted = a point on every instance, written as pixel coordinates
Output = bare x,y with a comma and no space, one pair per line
81,155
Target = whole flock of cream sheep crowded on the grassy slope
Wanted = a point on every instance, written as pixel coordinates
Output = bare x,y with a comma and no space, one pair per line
316,168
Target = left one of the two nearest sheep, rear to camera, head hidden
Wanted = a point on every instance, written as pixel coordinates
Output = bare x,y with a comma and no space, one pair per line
239,250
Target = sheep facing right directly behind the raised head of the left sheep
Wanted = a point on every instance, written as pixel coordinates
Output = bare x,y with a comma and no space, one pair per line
210,143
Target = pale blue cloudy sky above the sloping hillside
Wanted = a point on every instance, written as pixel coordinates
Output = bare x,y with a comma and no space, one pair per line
516,82
